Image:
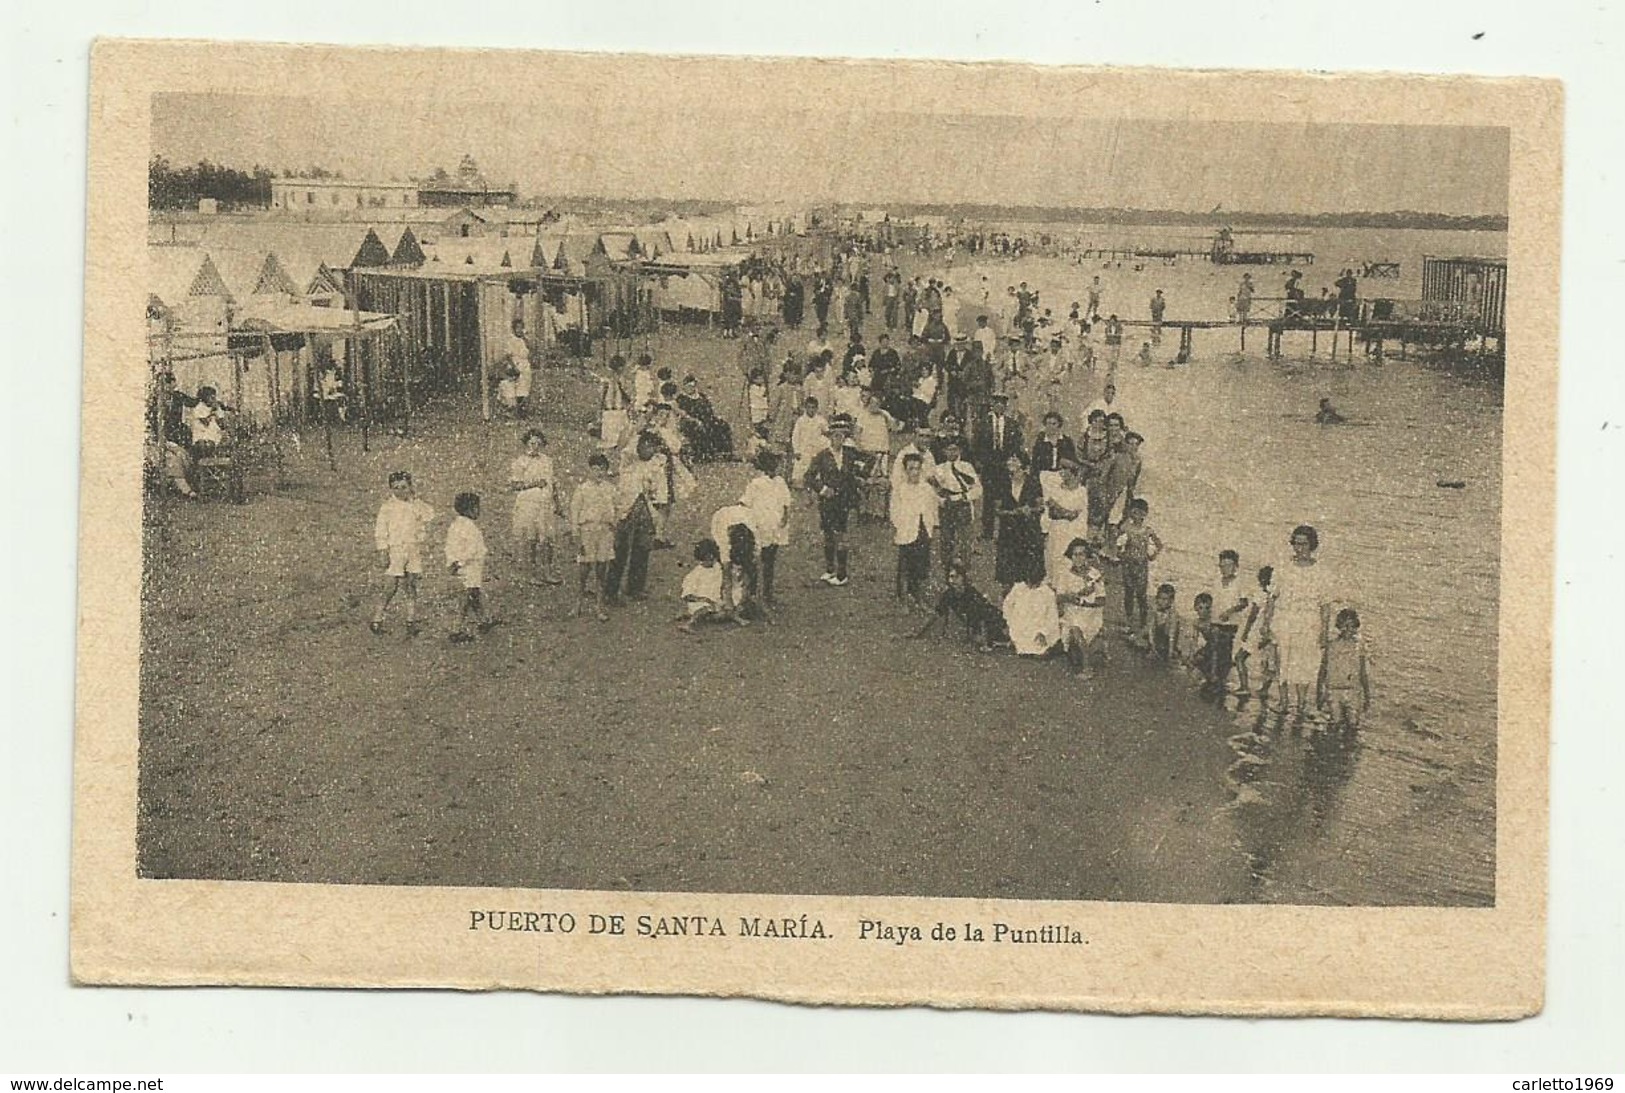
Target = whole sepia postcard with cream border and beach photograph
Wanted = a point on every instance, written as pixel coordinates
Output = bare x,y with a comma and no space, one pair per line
833,532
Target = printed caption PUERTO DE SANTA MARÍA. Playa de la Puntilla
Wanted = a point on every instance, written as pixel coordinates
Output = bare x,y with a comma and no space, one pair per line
768,928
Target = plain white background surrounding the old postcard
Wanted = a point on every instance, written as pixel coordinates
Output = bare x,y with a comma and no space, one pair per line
48,1027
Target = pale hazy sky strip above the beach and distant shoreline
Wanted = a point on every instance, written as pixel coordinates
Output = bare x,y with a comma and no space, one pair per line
677,150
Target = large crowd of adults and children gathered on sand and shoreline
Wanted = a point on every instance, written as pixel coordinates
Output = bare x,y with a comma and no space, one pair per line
921,436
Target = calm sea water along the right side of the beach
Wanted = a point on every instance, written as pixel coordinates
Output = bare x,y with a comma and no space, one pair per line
1234,460
